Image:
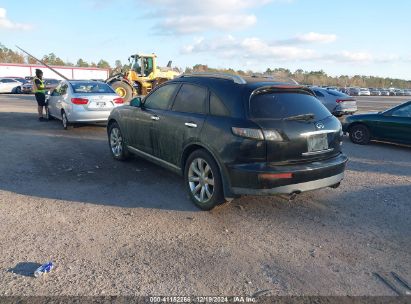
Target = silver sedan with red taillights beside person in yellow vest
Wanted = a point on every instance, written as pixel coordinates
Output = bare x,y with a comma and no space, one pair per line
82,101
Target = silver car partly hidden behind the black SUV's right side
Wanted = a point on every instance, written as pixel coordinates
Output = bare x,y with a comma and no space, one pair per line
337,103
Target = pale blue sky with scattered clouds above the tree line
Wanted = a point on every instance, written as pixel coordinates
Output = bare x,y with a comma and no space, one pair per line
340,37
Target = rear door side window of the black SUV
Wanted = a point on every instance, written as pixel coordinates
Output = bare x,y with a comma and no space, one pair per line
191,99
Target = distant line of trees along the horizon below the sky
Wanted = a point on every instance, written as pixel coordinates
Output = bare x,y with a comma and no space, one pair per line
319,78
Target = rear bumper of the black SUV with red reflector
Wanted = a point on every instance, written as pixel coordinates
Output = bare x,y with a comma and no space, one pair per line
266,179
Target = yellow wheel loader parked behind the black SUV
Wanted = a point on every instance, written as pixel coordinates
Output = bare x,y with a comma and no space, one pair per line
141,77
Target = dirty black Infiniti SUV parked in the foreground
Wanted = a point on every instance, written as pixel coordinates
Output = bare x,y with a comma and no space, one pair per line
229,136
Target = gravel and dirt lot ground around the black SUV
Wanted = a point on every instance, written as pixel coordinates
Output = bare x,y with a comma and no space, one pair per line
129,228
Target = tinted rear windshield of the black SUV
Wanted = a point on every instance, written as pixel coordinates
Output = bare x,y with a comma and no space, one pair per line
281,105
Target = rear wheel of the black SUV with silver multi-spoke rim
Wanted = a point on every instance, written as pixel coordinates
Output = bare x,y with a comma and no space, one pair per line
203,180
